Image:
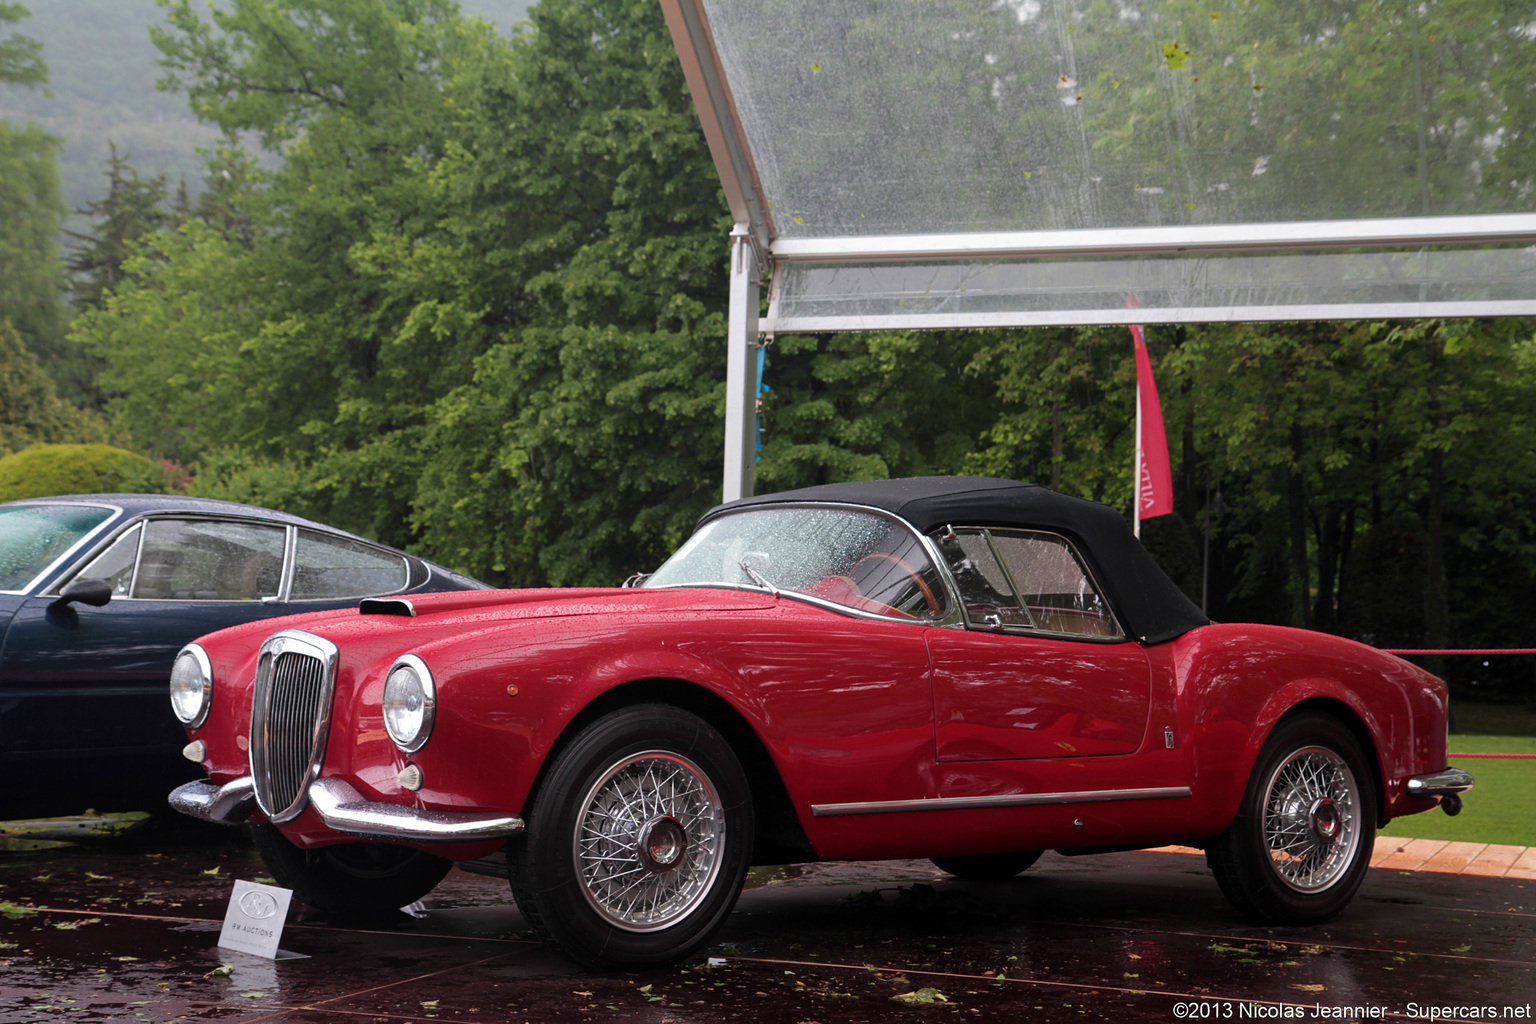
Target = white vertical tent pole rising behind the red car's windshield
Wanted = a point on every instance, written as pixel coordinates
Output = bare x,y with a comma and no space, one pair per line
741,369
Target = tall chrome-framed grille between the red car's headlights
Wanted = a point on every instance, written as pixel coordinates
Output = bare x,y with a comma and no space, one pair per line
290,719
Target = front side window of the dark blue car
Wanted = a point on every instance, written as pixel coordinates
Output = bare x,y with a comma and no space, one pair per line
193,560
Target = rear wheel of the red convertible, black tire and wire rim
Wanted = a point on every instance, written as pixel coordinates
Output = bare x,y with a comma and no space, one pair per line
1302,842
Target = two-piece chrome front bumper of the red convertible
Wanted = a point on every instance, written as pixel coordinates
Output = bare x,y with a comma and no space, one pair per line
343,810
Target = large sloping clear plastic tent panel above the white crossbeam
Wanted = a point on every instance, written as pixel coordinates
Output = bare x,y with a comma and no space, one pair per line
890,117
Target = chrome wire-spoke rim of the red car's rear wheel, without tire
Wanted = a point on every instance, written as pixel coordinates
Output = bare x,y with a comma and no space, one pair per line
1311,827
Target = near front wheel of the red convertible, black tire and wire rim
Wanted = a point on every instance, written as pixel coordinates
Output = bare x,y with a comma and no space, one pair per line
638,841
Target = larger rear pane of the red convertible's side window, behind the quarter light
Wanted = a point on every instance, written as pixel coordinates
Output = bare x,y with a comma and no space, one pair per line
1053,584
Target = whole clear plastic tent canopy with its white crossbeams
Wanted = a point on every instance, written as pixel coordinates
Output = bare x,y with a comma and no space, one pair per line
990,164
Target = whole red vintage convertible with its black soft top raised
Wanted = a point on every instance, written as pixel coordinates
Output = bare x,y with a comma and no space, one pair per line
958,669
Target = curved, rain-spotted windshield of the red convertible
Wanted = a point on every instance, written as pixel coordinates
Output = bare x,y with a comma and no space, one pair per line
850,558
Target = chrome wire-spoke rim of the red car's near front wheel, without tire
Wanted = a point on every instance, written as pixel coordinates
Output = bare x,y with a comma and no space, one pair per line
649,841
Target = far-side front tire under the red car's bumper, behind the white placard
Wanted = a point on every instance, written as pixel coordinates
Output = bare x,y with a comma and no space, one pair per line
353,879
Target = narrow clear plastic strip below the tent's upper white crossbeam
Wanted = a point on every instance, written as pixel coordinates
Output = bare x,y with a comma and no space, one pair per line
1191,289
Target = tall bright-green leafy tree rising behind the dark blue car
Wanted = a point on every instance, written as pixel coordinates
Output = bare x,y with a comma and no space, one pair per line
310,363
